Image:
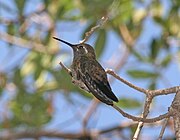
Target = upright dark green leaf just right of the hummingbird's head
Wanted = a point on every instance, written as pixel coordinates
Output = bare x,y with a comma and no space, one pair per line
100,43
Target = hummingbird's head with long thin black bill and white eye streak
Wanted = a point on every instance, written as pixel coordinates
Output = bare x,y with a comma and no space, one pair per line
81,49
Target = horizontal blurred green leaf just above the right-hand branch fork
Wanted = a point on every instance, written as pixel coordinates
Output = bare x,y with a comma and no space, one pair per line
141,74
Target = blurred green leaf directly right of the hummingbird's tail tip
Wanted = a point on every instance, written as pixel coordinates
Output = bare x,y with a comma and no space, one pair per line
128,103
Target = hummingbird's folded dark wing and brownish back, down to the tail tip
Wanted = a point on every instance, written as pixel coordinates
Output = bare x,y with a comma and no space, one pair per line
94,77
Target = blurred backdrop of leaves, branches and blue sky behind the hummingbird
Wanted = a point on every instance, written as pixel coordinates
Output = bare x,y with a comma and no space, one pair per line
140,42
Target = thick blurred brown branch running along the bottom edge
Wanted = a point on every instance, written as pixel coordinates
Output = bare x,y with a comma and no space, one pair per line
63,135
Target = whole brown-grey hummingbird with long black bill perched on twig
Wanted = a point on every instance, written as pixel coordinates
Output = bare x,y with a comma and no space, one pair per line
88,74
